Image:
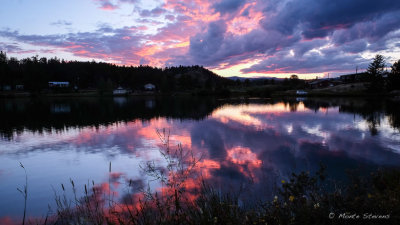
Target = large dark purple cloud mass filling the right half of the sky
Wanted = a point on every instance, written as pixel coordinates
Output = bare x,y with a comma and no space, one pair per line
348,28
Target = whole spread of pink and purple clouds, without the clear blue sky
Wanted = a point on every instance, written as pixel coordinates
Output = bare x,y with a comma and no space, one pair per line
303,36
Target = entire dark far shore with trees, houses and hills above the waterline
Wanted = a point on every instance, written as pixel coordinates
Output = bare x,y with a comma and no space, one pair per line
34,76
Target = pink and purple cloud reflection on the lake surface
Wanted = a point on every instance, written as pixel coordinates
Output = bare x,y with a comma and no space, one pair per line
239,144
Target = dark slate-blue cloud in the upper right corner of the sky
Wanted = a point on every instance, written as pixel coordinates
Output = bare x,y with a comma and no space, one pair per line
318,18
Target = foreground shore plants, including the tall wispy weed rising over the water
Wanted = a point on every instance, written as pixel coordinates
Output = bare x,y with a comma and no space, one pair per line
187,198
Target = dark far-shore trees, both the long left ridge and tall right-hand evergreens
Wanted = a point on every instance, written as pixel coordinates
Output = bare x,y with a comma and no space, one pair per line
34,73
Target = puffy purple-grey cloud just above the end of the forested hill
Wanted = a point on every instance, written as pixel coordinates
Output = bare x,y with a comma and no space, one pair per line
215,45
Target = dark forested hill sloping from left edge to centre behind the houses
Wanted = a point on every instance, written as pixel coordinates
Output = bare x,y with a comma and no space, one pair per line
34,73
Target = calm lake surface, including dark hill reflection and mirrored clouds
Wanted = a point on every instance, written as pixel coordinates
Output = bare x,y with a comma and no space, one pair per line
241,144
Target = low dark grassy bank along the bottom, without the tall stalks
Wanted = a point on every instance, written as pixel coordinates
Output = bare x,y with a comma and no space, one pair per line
303,199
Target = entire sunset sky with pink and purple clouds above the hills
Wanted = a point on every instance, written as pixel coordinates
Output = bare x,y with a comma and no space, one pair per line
230,37
